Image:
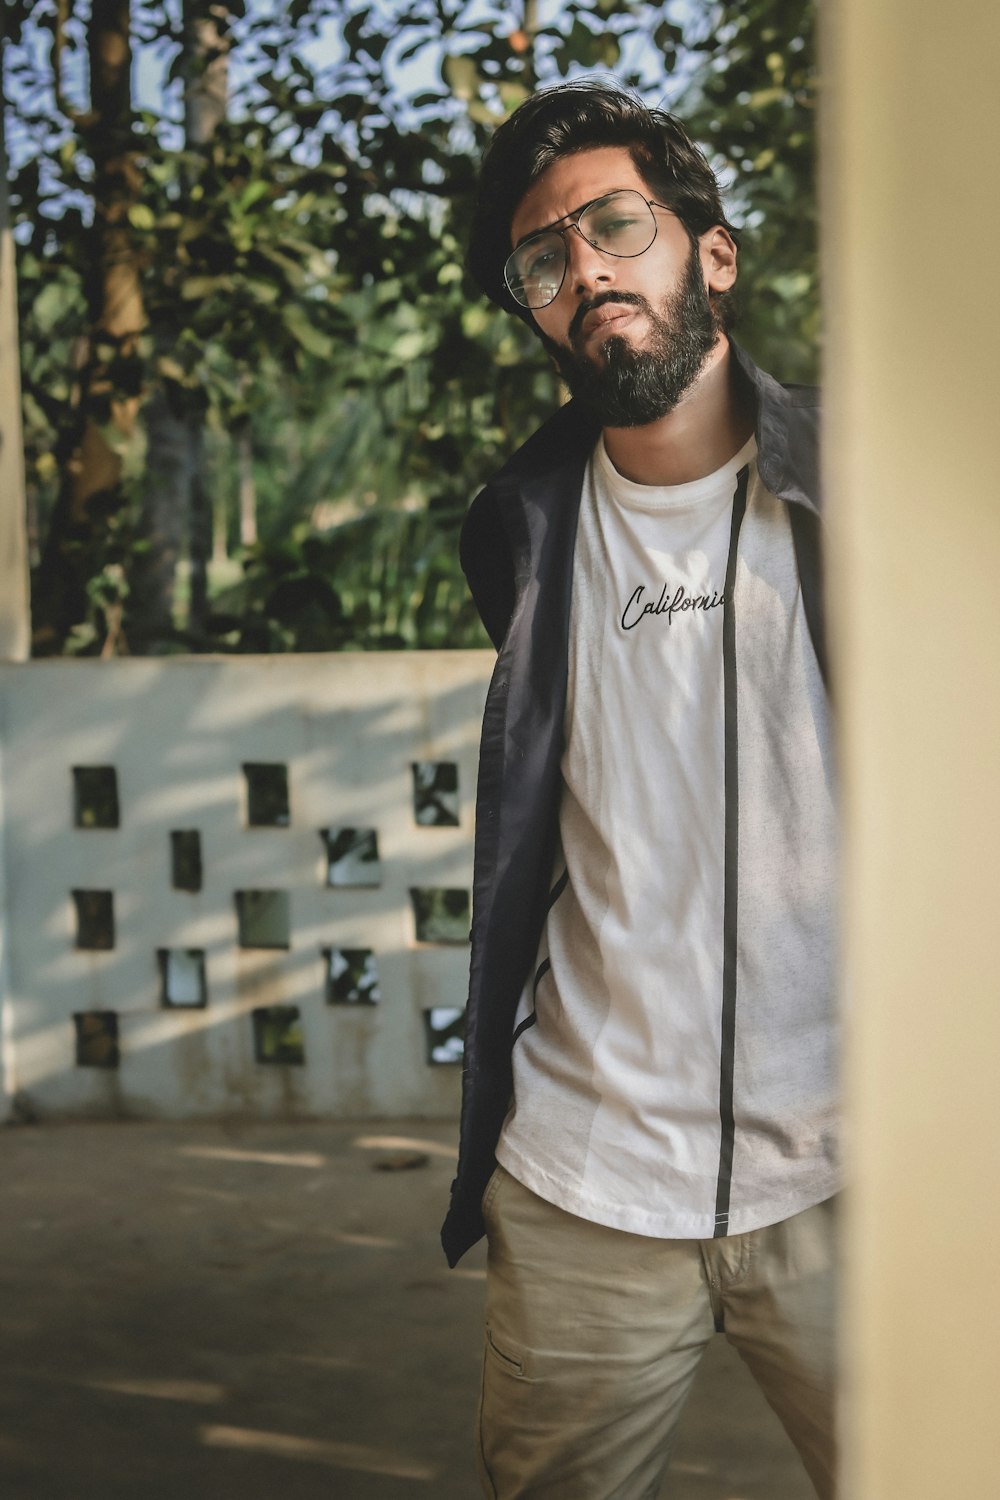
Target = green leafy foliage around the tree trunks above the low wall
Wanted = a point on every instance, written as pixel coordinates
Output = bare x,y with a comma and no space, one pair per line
304,278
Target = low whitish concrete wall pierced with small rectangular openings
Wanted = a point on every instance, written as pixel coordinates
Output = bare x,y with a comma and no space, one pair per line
178,734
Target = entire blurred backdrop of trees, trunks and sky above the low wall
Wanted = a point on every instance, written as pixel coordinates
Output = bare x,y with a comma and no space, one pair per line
259,391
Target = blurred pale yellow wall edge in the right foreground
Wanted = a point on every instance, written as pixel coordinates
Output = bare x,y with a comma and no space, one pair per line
912,233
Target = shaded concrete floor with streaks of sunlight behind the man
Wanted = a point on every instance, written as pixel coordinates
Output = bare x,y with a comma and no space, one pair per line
229,1312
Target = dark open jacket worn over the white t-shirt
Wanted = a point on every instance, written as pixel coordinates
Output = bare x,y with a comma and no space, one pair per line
518,556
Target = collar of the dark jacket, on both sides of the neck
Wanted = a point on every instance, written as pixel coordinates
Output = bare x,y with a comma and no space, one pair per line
785,430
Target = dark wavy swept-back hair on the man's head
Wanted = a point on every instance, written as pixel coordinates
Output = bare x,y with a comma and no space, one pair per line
576,118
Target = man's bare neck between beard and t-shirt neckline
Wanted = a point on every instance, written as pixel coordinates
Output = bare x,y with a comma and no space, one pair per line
702,433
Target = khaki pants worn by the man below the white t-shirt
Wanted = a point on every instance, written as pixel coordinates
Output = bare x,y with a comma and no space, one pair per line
593,1339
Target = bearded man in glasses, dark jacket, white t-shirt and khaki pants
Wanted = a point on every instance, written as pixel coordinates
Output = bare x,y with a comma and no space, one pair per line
648,1126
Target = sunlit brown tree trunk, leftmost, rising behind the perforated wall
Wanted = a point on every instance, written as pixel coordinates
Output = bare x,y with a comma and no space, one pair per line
107,436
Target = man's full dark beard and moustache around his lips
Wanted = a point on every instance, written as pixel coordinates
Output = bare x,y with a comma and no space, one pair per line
627,386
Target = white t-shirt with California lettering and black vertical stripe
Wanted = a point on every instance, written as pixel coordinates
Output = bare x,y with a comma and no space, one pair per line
623,1043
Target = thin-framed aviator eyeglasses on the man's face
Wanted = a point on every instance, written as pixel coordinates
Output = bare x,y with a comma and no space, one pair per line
620,224
